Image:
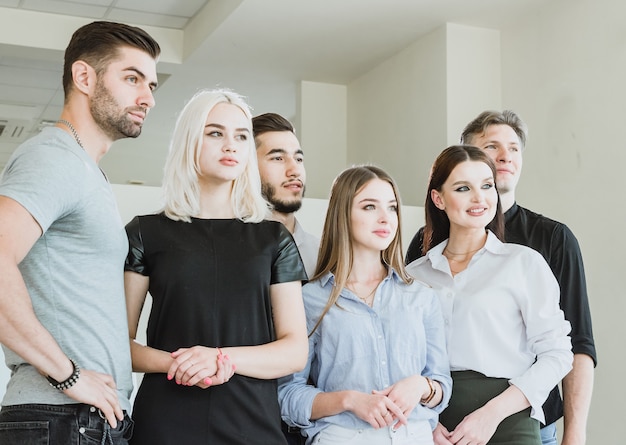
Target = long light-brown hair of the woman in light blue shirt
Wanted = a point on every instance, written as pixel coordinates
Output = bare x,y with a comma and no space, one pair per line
335,253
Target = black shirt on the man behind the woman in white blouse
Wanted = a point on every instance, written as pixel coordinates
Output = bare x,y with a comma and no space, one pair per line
558,245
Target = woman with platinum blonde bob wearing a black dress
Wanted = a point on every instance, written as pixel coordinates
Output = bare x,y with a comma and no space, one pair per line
227,317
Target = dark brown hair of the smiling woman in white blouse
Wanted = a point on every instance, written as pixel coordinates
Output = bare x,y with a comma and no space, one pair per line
437,228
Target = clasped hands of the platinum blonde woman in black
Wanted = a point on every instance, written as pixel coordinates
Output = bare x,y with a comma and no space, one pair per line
200,366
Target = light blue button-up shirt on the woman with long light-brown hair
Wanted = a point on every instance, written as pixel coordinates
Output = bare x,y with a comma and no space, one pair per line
361,348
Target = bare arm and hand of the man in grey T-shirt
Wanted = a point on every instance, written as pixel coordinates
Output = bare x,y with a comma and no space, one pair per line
20,329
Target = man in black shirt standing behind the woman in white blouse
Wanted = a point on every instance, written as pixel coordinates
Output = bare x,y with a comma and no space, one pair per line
503,136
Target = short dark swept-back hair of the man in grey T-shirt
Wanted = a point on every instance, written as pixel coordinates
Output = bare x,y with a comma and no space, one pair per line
97,43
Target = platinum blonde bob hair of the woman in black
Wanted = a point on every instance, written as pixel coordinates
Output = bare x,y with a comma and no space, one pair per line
180,180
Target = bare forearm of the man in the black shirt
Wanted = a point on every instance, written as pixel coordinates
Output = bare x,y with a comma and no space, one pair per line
577,390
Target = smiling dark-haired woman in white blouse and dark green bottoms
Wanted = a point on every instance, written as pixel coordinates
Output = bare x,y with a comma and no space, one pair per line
506,336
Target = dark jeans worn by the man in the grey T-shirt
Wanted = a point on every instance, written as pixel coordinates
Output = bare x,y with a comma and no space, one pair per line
73,424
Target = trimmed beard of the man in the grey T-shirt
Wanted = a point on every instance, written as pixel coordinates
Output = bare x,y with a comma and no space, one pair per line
106,112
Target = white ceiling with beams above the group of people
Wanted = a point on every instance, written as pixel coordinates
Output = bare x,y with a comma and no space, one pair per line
259,48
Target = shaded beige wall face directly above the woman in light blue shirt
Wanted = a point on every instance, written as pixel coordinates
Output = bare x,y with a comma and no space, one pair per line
397,114
